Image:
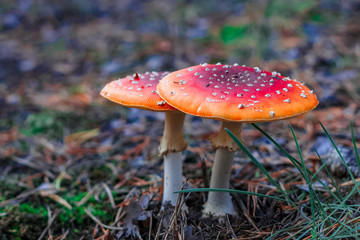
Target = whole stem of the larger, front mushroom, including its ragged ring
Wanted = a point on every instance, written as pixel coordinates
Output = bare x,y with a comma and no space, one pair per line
220,203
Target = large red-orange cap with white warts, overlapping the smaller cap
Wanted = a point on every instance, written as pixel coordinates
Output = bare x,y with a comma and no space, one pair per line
235,93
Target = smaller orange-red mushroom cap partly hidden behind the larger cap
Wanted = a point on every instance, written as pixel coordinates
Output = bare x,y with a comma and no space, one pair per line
137,91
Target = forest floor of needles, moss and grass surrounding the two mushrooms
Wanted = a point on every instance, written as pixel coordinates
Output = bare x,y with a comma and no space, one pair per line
75,166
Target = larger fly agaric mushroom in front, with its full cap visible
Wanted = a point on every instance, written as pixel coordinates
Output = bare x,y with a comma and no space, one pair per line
233,94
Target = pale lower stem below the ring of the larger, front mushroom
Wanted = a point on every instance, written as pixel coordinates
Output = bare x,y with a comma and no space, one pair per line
220,203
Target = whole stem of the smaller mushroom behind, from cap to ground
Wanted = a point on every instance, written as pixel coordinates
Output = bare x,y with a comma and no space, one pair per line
171,146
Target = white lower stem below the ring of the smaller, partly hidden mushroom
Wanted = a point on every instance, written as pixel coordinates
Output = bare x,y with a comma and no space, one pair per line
172,176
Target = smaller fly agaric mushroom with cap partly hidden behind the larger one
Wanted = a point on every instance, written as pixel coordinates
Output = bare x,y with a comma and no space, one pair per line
139,91
